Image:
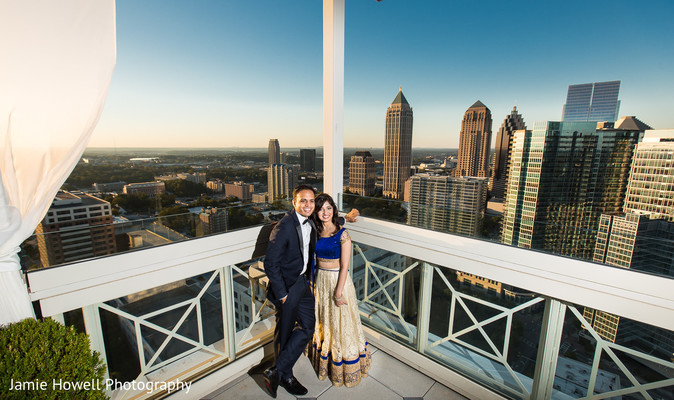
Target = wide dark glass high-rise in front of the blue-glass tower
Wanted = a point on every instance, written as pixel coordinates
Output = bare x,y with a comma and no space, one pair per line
563,176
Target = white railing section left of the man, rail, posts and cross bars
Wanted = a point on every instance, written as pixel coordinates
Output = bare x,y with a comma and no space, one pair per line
90,284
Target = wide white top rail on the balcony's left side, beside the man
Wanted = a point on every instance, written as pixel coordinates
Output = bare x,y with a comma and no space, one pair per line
71,286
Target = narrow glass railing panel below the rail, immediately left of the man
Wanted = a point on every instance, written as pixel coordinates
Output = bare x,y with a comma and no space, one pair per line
253,313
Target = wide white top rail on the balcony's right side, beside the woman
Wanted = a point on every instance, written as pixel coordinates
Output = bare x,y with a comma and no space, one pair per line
638,296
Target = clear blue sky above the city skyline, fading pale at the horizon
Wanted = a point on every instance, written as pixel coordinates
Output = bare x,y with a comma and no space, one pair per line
237,73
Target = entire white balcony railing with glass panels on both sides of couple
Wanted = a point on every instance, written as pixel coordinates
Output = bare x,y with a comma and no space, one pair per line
483,318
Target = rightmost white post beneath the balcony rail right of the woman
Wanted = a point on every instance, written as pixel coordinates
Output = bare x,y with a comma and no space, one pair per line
548,349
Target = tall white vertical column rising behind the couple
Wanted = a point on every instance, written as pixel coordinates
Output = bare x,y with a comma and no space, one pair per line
333,97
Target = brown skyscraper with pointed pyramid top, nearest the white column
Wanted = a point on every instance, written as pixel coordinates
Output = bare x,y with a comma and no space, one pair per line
397,147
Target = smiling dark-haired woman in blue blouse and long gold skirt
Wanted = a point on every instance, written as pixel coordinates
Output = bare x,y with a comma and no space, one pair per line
338,348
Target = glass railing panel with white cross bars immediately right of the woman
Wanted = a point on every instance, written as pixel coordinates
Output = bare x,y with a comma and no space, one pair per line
387,286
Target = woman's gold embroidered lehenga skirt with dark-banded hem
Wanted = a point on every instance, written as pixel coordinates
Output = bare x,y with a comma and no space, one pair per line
338,349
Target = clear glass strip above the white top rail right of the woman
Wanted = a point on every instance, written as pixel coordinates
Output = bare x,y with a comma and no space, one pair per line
632,241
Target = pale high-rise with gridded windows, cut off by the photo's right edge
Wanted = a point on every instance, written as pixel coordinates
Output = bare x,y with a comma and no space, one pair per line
642,238
